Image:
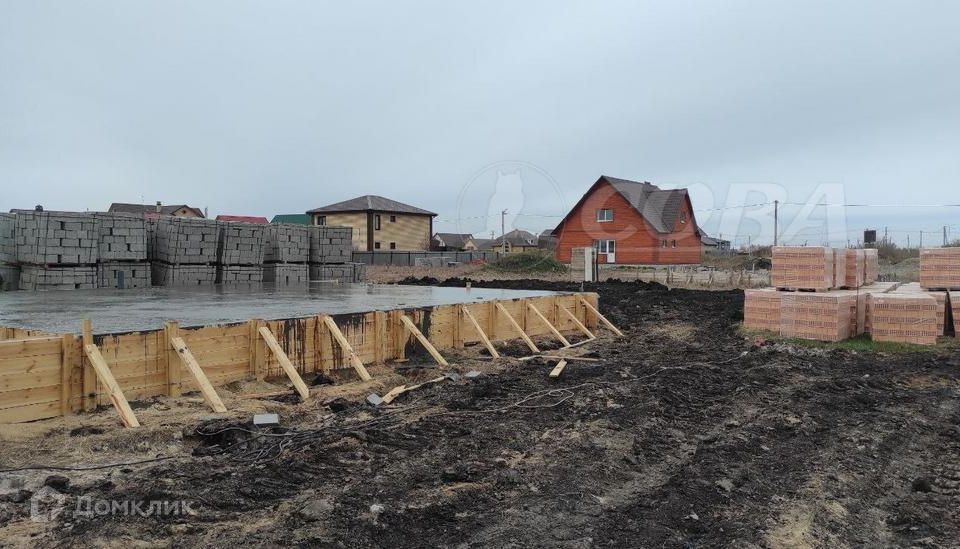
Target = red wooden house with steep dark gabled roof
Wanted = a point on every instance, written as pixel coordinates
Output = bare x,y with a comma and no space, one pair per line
630,222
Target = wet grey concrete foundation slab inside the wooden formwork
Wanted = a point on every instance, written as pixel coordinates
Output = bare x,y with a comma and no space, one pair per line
120,311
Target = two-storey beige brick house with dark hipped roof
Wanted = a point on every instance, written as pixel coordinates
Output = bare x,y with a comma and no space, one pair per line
379,223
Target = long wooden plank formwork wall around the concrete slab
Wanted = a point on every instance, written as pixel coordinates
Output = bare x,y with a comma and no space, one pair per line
47,375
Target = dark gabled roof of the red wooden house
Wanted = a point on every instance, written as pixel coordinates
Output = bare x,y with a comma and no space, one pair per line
658,206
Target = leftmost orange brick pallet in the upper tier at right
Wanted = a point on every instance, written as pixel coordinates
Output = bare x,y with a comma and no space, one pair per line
802,268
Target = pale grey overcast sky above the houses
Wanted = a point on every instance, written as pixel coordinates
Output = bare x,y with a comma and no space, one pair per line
270,107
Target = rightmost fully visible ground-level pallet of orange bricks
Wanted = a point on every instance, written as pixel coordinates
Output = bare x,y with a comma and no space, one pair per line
904,318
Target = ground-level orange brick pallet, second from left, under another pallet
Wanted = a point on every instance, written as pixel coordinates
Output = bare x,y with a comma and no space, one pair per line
817,316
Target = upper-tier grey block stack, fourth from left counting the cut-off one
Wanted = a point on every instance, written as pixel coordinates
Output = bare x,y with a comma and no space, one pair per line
186,241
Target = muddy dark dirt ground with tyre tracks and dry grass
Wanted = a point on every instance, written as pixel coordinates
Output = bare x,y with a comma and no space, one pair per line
682,434
